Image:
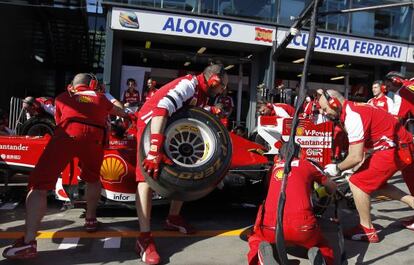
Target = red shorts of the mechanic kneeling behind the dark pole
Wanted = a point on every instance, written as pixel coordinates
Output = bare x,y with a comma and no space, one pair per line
302,230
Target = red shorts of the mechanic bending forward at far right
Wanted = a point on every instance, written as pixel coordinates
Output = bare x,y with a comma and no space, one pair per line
376,170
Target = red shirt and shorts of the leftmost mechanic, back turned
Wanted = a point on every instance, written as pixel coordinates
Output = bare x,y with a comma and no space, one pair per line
80,132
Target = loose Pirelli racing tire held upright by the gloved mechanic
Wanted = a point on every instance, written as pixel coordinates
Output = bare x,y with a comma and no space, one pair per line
199,146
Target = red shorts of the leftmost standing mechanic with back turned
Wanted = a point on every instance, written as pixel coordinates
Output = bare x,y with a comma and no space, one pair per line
84,142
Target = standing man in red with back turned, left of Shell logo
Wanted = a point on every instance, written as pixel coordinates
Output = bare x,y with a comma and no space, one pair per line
80,132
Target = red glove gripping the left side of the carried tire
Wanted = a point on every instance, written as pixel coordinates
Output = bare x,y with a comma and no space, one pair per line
155,156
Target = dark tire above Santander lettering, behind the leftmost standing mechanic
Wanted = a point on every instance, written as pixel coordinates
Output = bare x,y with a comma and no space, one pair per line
38,126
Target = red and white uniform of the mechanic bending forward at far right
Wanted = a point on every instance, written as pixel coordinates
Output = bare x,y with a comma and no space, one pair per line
381,134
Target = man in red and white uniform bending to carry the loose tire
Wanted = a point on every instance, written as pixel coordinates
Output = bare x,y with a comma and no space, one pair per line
192,90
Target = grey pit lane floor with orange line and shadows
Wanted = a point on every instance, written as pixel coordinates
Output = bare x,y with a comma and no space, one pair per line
221,239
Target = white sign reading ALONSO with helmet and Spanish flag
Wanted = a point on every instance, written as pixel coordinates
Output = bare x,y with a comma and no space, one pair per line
187,26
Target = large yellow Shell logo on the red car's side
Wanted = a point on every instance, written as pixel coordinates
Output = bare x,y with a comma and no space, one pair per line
113,169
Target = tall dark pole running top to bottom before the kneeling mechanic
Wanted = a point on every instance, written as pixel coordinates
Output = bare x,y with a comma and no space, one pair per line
281,248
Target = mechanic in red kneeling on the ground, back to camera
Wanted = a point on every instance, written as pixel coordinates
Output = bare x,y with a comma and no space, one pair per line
300,226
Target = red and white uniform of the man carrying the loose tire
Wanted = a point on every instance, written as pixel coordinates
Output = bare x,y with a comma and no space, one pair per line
187,90
